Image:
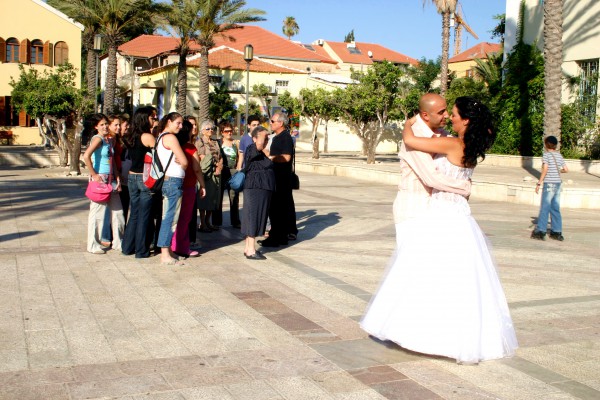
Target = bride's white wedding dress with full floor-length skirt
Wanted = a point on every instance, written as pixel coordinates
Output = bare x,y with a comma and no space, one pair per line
441,293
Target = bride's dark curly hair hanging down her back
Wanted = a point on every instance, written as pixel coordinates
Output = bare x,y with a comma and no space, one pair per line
480,133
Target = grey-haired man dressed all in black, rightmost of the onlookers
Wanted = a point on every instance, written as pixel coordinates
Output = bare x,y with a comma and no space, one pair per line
282,210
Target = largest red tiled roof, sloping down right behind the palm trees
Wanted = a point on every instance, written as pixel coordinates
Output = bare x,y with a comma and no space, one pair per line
269,45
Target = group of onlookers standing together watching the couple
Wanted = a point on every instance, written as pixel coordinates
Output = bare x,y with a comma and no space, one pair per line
197,170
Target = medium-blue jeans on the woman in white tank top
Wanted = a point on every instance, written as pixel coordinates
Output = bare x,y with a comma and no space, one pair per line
172,192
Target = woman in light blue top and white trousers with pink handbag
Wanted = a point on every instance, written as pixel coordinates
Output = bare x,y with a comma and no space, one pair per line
100,162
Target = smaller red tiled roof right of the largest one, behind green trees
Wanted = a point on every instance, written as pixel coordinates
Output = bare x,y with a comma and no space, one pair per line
361,54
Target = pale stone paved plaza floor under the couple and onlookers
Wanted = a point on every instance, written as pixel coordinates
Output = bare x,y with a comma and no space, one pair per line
79,326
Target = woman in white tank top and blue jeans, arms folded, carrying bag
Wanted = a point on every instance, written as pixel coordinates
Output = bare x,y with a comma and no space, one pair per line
174,163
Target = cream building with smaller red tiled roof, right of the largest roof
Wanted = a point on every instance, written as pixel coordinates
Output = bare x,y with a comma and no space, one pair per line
359,55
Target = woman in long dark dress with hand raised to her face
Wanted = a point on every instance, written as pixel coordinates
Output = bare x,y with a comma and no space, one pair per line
258,187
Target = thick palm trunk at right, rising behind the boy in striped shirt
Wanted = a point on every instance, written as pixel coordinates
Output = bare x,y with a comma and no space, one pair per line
553,31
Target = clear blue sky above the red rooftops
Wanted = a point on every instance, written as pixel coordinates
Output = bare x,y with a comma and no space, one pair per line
405,26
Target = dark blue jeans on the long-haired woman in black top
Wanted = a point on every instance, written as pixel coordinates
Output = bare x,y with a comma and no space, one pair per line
139,217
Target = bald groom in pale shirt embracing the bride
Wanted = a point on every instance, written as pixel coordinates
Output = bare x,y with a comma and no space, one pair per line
418,172
